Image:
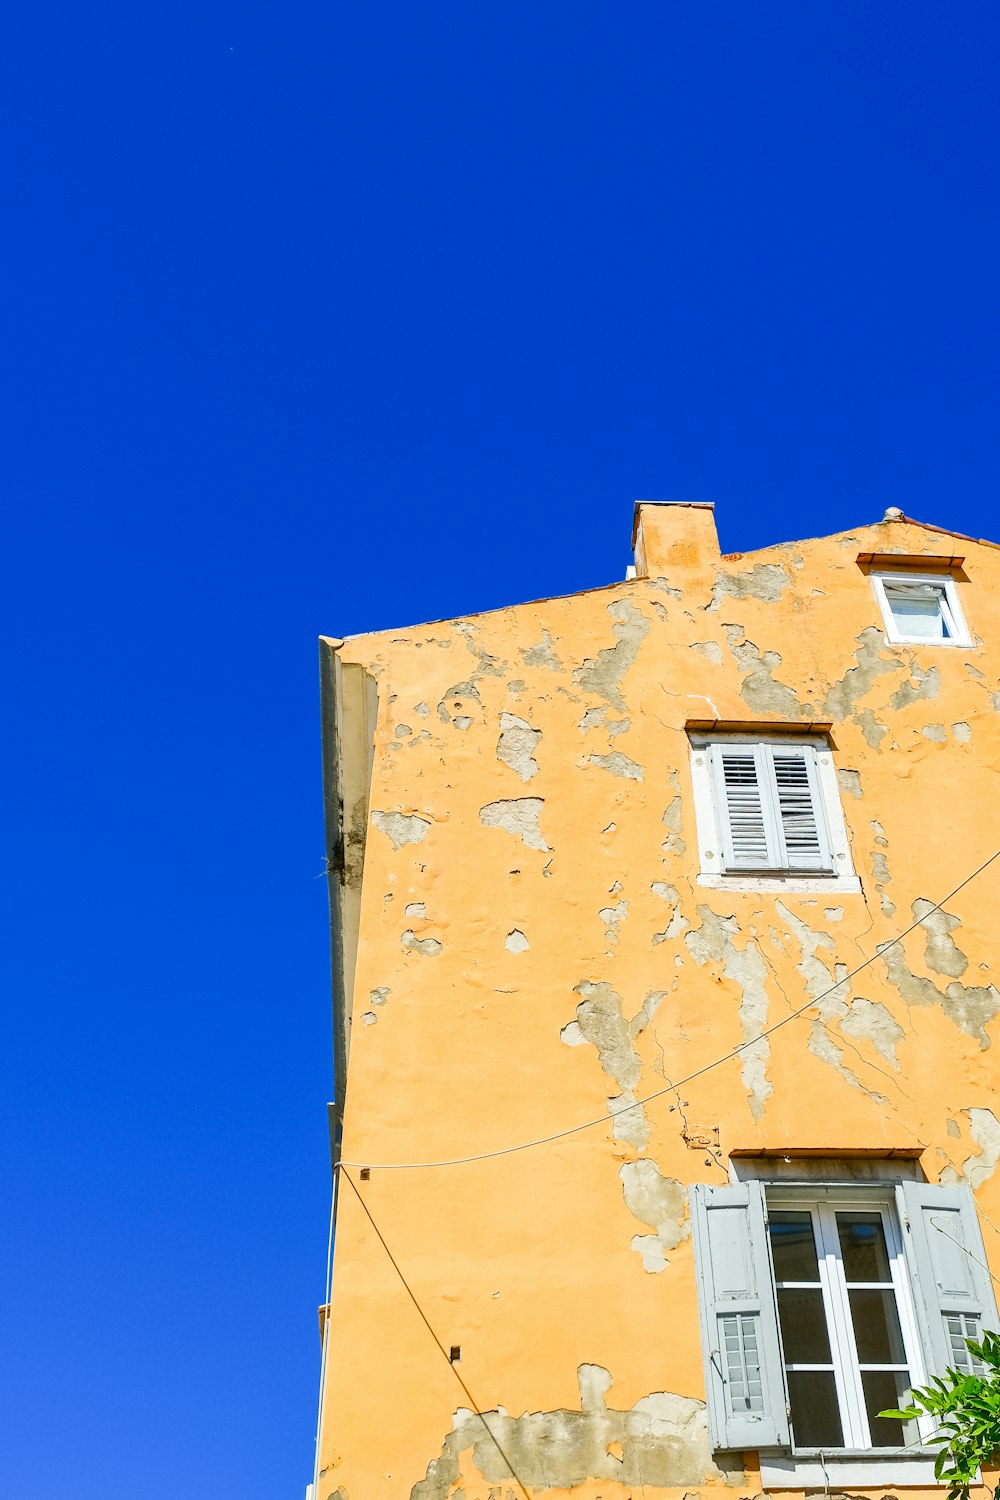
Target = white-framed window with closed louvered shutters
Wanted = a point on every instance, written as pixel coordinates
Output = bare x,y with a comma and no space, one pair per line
768,808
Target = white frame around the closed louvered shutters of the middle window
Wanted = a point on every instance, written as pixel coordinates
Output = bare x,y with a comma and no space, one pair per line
827,803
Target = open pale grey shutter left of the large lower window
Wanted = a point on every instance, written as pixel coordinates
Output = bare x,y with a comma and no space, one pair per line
744,1373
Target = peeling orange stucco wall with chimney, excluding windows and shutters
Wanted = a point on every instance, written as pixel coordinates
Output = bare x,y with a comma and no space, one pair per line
534,944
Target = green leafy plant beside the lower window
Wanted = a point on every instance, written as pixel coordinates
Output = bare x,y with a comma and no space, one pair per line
968,1414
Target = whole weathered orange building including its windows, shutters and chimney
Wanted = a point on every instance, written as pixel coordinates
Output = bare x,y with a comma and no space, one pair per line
612,881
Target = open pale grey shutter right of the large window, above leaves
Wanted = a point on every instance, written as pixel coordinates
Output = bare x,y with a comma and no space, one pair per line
948,1265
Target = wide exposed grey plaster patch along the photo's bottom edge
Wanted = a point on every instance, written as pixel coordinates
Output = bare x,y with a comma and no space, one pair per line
663,1444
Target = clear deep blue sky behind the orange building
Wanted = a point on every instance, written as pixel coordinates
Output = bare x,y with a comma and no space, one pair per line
331,319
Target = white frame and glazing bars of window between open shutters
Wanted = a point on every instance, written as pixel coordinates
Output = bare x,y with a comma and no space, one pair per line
824,1205
